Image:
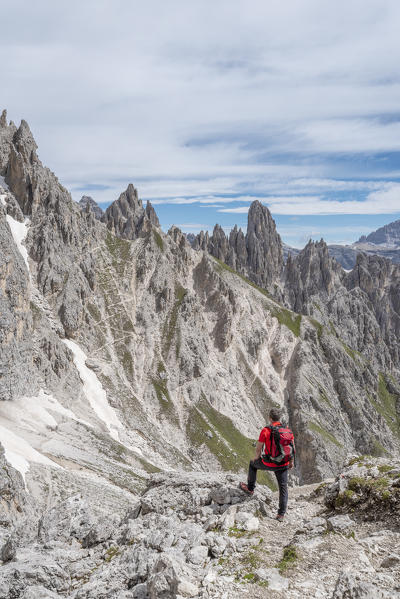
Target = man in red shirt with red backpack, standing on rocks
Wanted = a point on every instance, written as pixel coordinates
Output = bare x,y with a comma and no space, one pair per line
278,456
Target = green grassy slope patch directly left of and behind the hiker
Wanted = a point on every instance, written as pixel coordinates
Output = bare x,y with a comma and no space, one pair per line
231,448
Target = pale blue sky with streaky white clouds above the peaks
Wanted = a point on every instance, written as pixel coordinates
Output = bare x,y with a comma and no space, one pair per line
207,105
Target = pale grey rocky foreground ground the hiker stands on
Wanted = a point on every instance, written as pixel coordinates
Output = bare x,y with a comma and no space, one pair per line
198,535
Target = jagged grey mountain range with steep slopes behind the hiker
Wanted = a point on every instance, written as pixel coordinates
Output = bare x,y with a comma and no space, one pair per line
128,351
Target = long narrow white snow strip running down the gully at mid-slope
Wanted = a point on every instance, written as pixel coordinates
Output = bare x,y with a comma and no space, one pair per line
94,392
